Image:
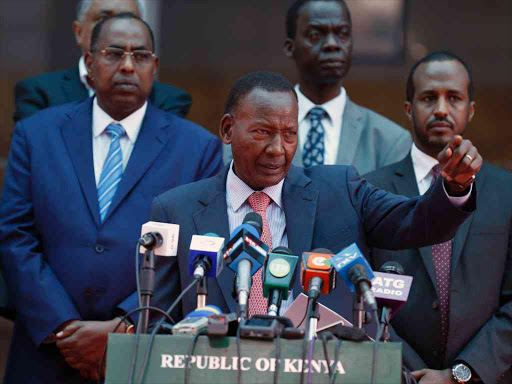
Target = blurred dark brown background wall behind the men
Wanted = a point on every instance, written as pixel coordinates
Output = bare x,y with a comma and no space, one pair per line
204,46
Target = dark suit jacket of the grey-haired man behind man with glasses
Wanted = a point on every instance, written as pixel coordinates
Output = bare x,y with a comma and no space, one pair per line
61,87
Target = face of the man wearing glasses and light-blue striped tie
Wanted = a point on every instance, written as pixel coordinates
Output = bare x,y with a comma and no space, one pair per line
121,88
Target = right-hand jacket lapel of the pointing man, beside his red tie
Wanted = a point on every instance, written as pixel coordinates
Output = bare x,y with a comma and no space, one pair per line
300,208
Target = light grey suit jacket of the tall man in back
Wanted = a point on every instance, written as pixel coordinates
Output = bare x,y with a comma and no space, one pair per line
368,140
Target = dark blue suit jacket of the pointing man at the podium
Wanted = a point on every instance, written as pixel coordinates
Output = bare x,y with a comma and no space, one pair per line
328,206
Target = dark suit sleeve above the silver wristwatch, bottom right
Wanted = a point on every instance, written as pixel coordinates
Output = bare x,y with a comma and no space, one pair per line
489,353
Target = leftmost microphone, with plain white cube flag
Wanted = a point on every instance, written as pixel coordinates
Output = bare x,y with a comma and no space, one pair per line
162,238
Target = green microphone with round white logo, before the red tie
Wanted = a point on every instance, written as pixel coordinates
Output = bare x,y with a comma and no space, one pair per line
278,274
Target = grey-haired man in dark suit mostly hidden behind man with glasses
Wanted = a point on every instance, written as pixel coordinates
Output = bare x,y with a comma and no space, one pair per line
56,88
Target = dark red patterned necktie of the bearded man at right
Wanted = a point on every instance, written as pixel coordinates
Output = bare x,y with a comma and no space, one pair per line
442,255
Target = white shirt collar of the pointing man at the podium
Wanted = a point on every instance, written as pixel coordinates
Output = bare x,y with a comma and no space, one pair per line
238,192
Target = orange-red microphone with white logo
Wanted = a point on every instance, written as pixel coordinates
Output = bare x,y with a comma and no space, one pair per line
317,274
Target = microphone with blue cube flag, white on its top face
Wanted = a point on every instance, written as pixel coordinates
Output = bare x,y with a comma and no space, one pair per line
205,255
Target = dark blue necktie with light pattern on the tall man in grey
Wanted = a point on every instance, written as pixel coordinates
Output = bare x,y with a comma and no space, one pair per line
314,148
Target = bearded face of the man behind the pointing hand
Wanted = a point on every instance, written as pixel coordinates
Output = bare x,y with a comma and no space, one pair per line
441,108
